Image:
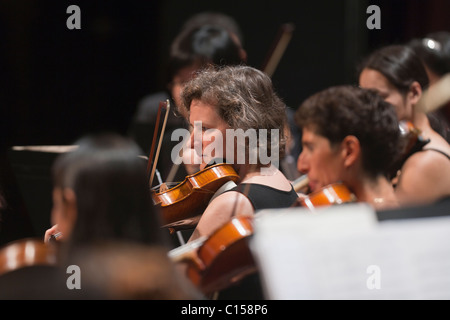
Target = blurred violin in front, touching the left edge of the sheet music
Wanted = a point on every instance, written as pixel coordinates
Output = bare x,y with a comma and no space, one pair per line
217,261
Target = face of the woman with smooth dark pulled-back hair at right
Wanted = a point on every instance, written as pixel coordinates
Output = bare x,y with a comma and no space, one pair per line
373,79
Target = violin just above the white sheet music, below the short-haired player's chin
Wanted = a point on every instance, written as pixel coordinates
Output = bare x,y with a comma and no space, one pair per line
332,194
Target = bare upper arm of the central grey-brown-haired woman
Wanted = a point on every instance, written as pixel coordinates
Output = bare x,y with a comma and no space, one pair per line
220,211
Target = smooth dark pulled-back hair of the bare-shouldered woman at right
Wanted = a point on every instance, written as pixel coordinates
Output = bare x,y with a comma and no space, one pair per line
399,64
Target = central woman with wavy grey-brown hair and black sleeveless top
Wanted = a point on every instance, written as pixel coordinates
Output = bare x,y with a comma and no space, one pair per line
235,115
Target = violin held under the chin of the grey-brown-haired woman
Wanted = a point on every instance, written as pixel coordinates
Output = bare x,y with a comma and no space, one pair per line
190,198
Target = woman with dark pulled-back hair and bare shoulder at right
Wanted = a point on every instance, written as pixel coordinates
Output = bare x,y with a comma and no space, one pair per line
398,75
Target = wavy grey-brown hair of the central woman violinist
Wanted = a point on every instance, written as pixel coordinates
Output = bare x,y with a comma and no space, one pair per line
244,98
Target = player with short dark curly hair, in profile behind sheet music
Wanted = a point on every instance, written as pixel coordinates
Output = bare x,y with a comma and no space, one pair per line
350,135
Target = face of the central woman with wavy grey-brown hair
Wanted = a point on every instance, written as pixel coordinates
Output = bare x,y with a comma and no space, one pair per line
208,132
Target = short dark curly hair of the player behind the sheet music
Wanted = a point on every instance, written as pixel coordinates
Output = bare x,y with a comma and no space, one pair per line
341,111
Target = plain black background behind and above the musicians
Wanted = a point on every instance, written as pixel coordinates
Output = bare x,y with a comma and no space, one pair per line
58,84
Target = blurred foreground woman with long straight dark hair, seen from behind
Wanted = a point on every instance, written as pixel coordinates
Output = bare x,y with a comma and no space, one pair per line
109,227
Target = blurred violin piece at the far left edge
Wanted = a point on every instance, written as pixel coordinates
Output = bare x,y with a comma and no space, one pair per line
26,252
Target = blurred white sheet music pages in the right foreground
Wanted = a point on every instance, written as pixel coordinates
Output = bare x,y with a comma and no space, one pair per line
343,252
